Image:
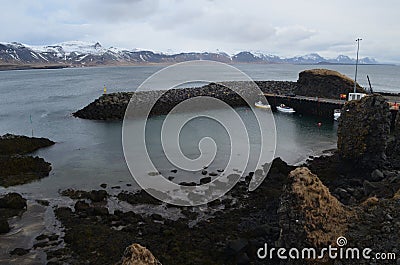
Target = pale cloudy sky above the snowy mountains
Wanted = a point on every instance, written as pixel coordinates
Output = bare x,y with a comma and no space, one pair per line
285,28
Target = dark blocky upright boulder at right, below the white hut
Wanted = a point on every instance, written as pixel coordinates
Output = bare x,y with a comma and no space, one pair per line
363,131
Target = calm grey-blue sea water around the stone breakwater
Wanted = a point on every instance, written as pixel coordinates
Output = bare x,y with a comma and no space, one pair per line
89,153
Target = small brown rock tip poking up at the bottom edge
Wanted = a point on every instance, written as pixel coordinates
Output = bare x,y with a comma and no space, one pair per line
136,254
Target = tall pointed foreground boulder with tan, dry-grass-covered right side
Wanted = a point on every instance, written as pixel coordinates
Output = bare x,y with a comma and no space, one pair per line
309,215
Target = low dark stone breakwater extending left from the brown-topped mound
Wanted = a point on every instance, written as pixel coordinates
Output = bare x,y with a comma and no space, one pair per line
113,106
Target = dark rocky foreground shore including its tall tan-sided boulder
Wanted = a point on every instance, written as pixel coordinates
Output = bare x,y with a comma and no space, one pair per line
293,207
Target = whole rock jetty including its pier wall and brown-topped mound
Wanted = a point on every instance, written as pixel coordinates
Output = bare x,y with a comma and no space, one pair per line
312,83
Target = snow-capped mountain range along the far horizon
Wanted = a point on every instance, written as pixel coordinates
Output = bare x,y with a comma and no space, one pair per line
78,53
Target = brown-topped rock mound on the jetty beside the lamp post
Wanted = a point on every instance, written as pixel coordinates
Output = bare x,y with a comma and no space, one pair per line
324,83
